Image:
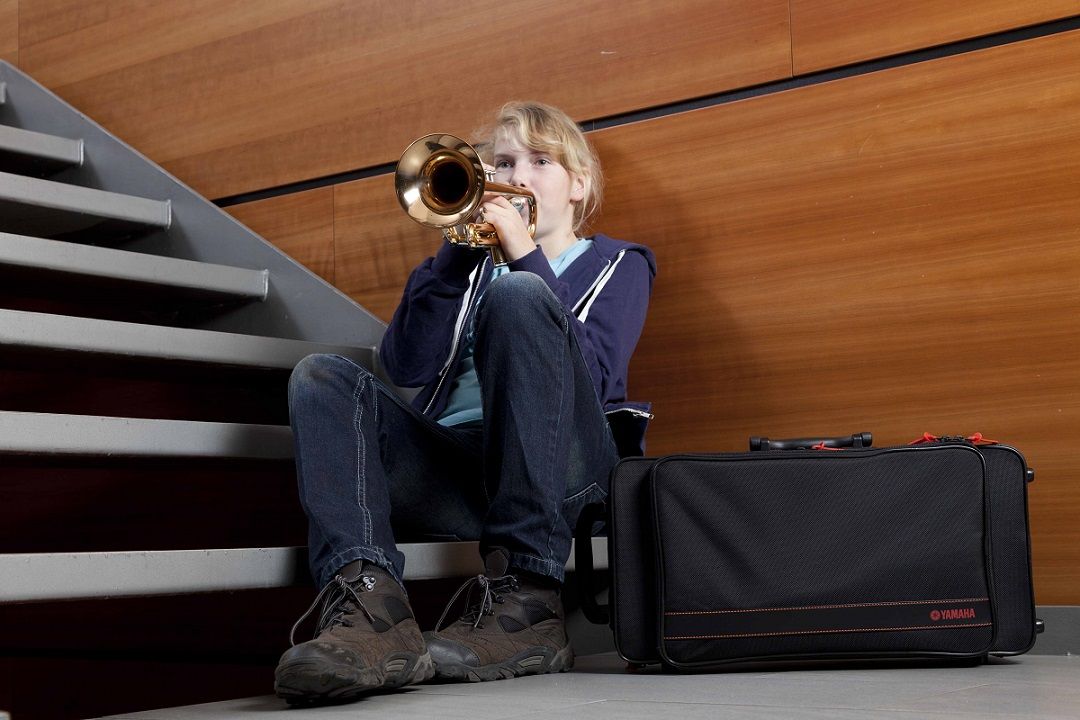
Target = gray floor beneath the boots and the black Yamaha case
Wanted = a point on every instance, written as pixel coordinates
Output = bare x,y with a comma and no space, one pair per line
1031,687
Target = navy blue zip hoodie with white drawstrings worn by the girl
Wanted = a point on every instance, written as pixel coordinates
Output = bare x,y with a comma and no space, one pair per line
606,290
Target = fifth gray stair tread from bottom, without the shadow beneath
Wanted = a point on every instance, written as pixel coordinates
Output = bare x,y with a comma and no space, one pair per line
50,195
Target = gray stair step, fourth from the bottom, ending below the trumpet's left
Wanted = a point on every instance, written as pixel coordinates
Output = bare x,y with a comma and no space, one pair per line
111,266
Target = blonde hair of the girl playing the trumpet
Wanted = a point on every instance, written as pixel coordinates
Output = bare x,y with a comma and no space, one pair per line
547,129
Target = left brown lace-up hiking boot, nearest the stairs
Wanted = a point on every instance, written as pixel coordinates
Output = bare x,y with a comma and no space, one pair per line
367,640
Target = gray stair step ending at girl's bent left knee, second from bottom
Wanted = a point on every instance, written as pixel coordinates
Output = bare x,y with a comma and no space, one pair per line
45,434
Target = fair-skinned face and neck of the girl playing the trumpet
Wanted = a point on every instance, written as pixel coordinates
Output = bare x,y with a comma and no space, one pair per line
556,189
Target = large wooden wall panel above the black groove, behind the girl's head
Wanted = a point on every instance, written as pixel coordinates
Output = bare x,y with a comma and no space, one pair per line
237,96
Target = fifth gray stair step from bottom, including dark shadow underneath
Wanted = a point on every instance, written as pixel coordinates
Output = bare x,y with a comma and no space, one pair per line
35,207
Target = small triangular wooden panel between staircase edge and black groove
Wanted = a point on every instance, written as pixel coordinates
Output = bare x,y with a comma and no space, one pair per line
301,224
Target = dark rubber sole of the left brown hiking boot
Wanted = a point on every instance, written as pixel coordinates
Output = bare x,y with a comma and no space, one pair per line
312,684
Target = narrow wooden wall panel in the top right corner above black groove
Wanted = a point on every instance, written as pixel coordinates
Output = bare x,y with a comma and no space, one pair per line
828,34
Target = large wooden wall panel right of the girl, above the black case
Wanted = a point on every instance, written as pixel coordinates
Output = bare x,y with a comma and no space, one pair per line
898,252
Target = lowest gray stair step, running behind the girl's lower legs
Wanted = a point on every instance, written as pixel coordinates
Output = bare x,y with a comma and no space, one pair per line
31,578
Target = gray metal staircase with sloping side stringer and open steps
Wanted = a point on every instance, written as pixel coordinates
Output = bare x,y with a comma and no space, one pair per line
110,267
